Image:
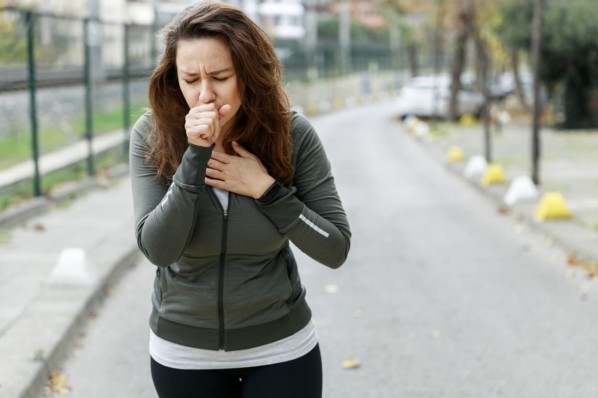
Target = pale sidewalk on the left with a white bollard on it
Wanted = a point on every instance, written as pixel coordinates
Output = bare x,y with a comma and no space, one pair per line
41,315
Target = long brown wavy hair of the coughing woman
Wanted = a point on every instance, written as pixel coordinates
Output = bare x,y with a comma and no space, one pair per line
263,122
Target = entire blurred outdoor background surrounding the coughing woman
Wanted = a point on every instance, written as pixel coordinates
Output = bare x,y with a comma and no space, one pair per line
441,297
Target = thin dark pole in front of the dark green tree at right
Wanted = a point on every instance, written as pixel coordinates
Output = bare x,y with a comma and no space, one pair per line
537,59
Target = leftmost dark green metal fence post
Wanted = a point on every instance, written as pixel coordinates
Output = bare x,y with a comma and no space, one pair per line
30,22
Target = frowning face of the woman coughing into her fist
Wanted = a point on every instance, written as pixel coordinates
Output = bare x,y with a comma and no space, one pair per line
206,75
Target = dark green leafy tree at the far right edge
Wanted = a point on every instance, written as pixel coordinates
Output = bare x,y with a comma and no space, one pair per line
569,52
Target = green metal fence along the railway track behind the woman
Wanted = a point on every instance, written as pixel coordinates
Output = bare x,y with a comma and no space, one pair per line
75,85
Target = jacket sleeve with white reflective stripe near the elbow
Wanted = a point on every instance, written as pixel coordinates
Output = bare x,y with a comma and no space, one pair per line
310,212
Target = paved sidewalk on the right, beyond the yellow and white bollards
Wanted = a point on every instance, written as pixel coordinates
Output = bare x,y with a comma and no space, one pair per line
568,165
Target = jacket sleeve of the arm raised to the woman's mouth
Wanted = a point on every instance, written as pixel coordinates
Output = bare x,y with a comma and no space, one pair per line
164,215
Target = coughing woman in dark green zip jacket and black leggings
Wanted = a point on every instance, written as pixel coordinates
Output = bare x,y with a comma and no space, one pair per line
224,176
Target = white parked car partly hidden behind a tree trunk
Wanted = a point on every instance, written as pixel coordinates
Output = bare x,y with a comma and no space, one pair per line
428,96
